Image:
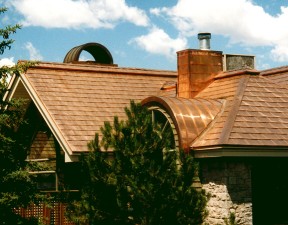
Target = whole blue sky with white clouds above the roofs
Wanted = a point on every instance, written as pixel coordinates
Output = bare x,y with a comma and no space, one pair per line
148,33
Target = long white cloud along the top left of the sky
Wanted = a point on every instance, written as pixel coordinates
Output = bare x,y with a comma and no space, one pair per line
78,14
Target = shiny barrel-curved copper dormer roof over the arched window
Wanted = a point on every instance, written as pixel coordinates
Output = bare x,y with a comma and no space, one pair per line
190,116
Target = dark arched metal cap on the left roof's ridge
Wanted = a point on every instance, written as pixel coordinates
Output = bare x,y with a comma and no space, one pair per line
99,52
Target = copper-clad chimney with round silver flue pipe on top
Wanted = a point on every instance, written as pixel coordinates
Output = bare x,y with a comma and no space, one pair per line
197,67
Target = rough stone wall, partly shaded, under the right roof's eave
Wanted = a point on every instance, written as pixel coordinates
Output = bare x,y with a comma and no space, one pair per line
229,184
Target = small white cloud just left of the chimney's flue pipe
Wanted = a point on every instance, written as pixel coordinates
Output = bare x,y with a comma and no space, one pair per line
159,42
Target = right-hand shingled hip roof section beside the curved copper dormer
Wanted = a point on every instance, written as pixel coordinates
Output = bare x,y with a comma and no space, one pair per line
255,112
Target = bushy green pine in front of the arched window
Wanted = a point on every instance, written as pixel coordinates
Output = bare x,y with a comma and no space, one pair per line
141,182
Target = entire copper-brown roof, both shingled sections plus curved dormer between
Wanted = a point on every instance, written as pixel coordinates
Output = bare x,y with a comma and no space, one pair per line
249,108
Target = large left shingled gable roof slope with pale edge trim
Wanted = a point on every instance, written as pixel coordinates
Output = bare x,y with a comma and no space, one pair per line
75,99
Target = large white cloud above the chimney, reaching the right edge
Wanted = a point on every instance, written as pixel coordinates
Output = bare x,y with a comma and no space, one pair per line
240,20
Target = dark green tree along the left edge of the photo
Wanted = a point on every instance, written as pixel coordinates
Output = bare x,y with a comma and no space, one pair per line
17,188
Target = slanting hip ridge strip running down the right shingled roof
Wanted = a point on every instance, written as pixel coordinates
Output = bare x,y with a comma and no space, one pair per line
232,114
